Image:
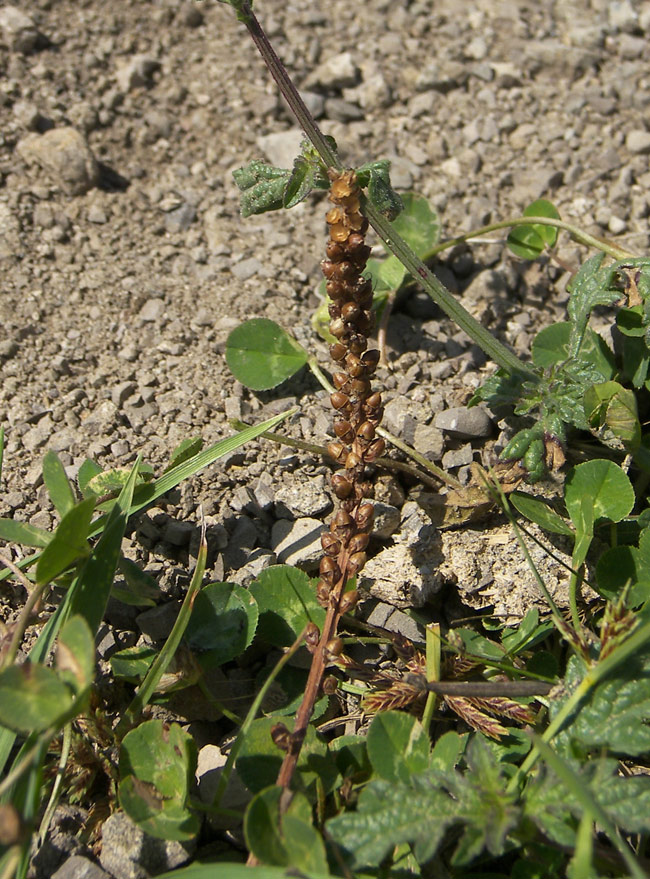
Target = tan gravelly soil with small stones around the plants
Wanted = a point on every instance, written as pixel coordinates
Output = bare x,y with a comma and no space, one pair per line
125,263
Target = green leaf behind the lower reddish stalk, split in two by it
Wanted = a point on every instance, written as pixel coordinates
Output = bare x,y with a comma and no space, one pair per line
260,759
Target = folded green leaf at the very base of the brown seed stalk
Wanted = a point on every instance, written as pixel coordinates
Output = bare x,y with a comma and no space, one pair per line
288,839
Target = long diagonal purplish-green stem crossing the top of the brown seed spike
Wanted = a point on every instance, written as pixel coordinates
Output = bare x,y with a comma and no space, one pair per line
440,295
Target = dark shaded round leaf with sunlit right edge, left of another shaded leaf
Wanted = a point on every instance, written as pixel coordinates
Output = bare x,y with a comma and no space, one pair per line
223,623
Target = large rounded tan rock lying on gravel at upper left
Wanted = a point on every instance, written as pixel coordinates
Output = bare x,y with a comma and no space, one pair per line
65,157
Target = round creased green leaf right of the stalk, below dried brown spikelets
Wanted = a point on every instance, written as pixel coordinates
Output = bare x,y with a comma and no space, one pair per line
398,745
